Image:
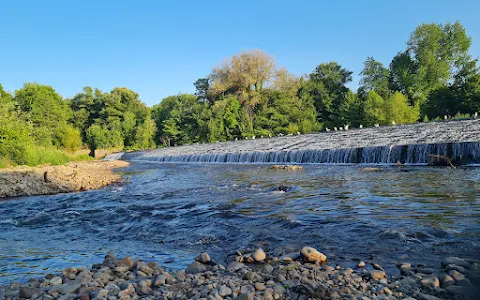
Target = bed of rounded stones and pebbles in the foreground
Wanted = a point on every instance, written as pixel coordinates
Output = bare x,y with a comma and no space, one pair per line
254,274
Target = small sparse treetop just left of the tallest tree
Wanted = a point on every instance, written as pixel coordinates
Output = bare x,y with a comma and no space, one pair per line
374,78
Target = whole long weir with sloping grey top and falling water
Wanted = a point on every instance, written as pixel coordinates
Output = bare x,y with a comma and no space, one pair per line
405,144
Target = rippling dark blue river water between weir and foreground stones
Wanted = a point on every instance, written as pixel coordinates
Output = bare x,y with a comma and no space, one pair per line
171,212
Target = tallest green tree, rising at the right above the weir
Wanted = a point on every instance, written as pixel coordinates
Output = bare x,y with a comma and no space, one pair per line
435,53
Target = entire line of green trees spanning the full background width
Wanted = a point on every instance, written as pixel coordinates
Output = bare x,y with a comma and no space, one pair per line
249,95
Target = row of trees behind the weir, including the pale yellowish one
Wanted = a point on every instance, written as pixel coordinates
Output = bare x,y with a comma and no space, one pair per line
249,95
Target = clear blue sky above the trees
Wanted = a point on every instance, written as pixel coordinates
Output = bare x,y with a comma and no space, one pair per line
159,48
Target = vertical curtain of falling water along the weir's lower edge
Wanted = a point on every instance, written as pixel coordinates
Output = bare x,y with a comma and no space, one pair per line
463,153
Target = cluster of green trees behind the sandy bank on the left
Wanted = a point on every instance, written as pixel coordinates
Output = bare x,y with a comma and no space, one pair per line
39,126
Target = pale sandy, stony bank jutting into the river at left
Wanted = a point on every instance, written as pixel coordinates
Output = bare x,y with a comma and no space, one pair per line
72,177
